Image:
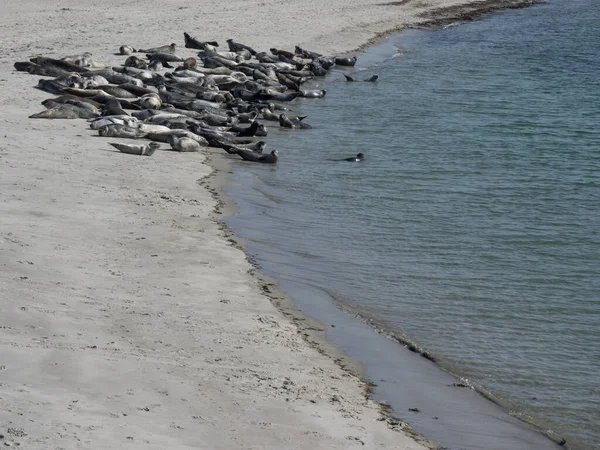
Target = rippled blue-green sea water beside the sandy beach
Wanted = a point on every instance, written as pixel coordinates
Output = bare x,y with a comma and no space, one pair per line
473,226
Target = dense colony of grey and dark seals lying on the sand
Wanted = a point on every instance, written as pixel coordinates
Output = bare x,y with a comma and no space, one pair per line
213,98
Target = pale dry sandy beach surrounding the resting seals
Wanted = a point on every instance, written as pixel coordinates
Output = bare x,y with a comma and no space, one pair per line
127,320
